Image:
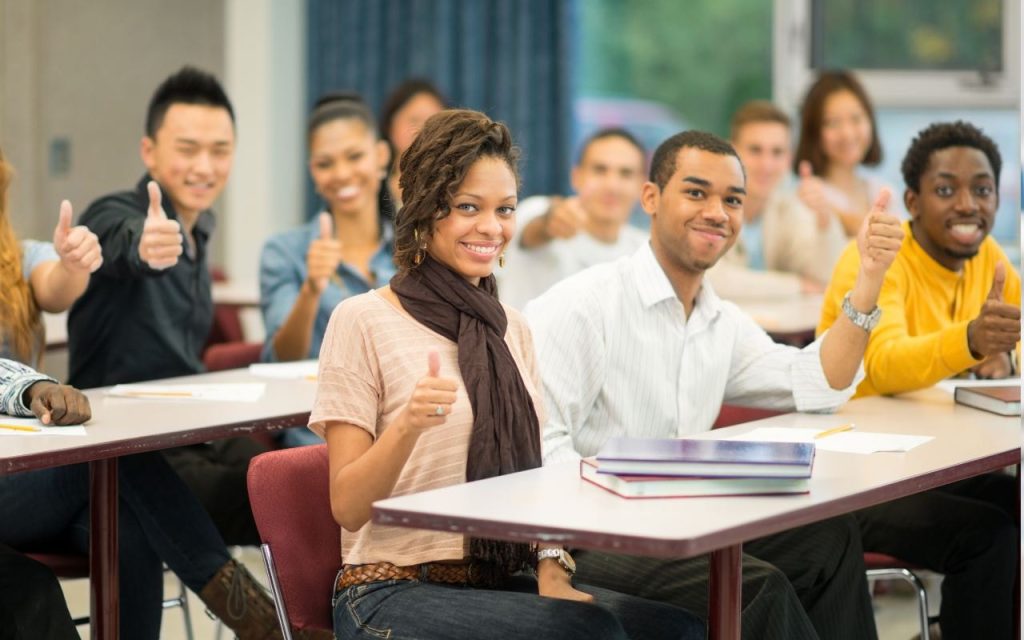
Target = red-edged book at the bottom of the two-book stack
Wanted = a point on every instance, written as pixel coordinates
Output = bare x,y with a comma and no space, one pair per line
687,487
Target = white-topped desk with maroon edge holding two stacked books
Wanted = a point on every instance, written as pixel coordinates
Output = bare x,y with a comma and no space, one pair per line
552,504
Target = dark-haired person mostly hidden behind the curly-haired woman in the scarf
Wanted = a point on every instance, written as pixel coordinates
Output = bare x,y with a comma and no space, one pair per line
405,111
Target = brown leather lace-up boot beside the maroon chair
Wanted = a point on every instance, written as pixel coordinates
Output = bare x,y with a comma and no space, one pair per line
235,596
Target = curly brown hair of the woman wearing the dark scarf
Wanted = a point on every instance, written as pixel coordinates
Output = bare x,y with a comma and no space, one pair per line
435,166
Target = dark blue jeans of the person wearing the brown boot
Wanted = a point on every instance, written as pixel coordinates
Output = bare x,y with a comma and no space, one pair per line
159,522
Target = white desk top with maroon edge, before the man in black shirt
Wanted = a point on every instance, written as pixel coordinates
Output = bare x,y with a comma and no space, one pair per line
122,426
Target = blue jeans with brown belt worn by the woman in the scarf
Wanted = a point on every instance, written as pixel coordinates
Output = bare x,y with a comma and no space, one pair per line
407,610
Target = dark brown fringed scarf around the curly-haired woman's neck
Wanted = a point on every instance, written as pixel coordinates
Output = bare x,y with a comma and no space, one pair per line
506,434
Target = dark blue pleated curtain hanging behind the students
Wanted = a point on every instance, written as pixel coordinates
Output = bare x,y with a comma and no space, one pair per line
509,59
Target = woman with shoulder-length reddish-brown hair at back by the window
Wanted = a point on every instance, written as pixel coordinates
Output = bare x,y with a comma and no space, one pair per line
838,137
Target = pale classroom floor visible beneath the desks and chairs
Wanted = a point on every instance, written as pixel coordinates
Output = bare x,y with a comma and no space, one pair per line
895,612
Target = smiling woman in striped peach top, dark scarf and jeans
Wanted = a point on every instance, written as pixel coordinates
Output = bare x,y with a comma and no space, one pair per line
431,382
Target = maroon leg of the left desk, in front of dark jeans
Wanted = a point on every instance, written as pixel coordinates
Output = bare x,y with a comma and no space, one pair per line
104,548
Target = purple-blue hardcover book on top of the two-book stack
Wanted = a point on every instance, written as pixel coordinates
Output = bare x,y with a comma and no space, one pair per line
692,457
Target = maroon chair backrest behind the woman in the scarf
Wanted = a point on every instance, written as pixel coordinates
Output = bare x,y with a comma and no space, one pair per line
289,493
